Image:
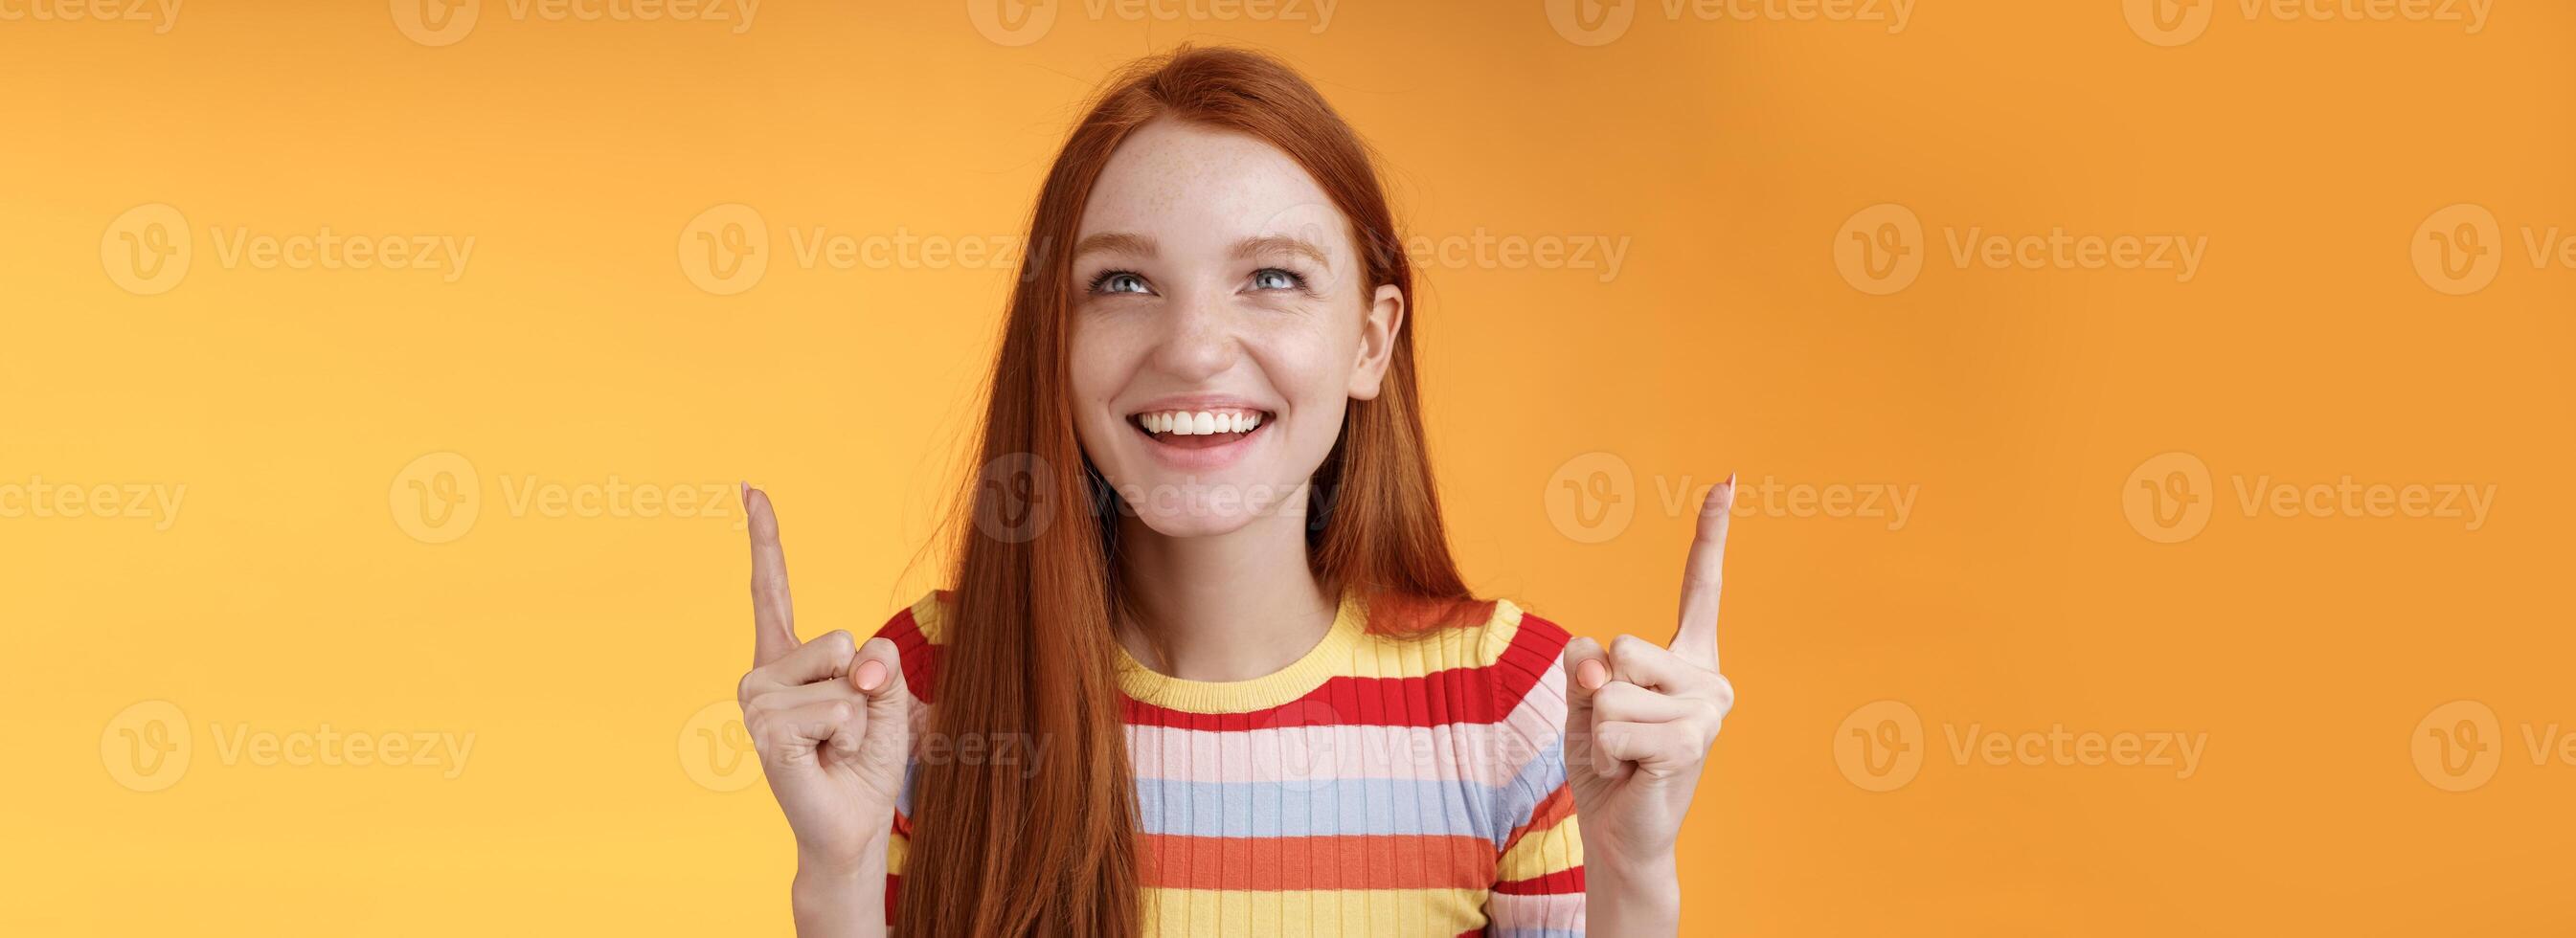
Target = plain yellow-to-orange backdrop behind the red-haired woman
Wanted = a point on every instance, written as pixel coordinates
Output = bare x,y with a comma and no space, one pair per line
292,591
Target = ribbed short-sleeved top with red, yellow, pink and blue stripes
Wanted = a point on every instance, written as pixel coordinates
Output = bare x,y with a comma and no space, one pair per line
1377,787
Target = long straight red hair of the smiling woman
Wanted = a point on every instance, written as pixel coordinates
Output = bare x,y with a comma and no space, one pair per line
1029,648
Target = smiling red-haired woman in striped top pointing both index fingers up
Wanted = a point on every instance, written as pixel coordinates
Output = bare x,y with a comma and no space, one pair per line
1209,666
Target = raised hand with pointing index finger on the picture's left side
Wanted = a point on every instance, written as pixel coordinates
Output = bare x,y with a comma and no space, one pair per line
831,723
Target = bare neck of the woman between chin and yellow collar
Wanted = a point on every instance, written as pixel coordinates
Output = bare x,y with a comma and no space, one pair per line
1227,607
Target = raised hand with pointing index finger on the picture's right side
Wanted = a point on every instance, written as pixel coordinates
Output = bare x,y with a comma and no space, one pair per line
1642,718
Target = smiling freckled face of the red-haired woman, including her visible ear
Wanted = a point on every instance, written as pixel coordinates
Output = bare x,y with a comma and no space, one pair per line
1222,323
